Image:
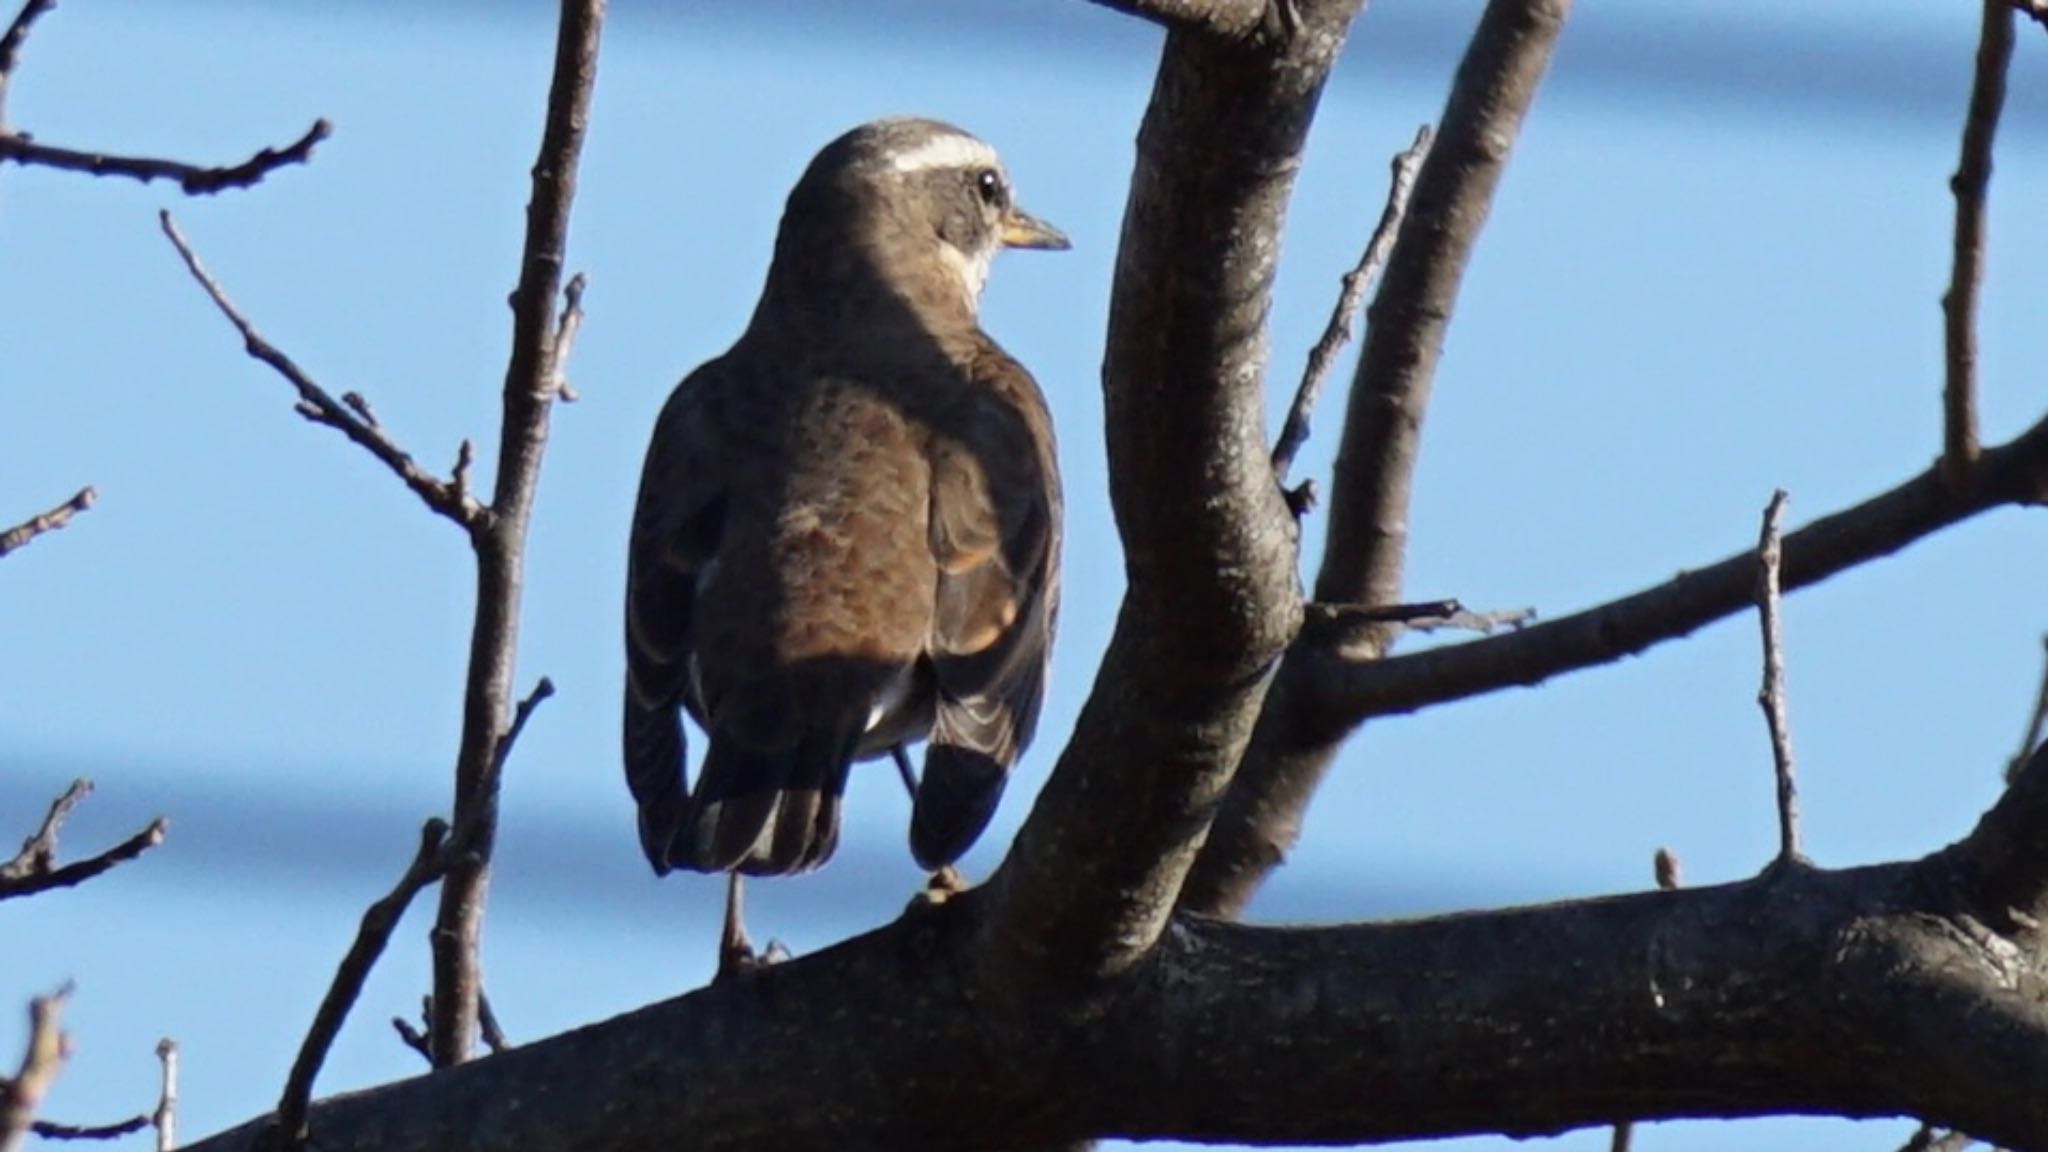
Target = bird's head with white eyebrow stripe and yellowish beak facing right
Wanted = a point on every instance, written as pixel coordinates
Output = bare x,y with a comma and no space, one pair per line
925,202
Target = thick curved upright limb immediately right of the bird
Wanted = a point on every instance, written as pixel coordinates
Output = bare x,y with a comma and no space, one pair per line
1213,598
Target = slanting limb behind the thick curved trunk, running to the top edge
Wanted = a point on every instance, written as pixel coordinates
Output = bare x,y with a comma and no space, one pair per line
1375,470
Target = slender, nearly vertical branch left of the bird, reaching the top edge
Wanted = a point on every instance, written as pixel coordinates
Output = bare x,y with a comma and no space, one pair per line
534,382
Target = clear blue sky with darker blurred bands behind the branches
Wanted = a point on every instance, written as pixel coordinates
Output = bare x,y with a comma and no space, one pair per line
1713,270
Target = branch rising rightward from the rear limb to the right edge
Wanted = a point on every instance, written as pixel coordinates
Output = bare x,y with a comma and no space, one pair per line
1357,690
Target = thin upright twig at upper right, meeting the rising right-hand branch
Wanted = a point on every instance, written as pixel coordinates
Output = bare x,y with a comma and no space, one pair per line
1967,268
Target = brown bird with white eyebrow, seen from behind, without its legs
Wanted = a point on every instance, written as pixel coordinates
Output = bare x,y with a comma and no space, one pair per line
849,526
